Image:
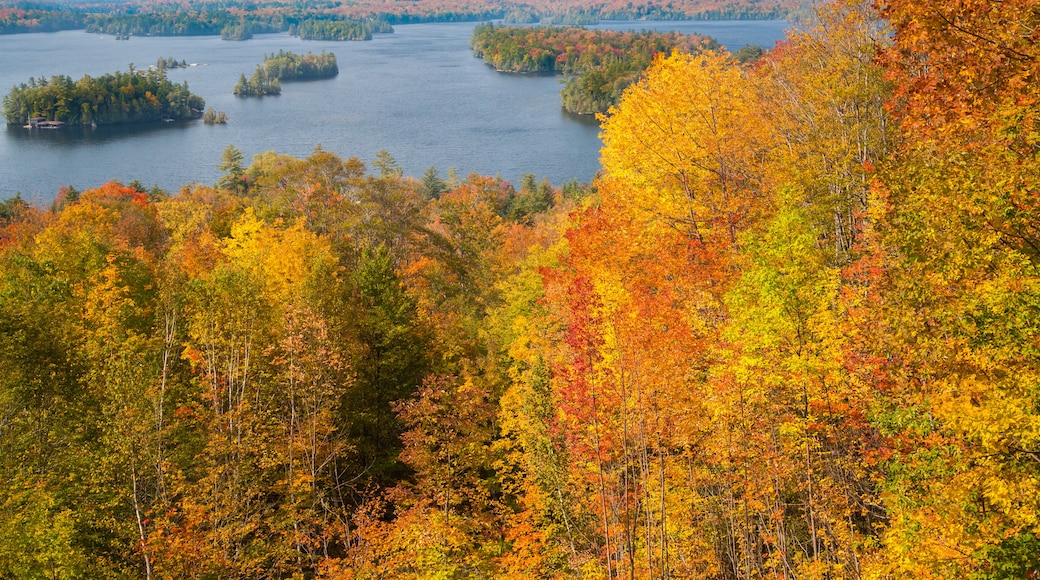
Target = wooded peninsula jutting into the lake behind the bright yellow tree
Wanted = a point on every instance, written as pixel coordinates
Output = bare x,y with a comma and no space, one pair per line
602,64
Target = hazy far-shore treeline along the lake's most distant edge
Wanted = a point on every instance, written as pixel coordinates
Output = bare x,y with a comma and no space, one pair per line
327,20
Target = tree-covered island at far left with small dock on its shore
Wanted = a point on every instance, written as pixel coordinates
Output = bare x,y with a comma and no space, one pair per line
111,99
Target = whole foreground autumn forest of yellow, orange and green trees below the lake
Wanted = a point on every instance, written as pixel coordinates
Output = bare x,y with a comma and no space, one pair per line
792,331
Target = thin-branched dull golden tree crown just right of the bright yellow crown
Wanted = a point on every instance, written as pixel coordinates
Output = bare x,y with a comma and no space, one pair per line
825,97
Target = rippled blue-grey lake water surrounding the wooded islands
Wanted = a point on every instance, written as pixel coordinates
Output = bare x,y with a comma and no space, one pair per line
419,94
